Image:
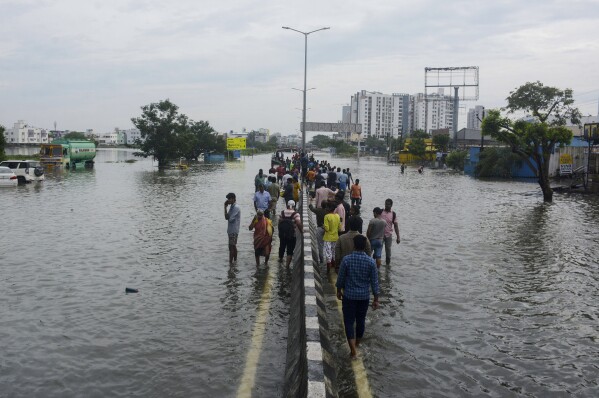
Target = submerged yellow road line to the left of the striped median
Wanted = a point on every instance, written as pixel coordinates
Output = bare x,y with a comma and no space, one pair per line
248,379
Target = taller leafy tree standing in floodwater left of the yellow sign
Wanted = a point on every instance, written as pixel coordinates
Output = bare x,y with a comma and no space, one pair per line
161,126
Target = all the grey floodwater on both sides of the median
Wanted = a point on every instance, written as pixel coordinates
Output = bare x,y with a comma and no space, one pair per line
490,293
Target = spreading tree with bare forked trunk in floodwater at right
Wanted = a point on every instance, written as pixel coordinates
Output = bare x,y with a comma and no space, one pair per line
535,140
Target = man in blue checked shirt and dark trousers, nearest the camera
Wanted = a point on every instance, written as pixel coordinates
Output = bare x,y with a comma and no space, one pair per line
357,275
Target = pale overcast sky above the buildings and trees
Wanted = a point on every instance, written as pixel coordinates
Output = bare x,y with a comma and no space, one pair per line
93,64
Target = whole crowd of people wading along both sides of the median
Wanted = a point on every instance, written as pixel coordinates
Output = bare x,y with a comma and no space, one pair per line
342,246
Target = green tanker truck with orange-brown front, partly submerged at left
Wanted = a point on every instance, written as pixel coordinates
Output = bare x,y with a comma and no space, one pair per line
69,154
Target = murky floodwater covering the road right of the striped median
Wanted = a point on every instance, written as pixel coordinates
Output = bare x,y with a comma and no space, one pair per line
491,292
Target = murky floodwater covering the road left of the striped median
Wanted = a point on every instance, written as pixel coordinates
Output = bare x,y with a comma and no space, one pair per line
75,242
